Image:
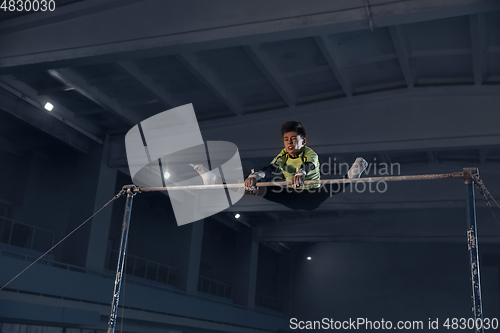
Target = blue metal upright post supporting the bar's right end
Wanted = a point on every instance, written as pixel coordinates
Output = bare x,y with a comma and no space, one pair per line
477,307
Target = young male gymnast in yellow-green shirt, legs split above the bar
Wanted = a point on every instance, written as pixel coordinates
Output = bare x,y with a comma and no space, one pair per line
296,163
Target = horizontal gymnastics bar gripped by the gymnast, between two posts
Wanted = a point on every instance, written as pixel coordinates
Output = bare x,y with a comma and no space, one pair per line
454,175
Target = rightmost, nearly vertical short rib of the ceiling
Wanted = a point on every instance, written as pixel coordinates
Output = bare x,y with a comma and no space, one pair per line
478,47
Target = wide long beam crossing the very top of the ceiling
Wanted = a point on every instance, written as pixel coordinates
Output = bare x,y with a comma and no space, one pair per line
111,34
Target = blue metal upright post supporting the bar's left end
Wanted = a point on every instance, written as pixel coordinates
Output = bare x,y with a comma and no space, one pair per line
121,259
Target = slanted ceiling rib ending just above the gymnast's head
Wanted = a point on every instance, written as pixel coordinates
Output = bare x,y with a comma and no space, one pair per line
268,68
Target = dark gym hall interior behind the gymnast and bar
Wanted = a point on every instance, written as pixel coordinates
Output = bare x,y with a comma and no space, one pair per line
412,84
